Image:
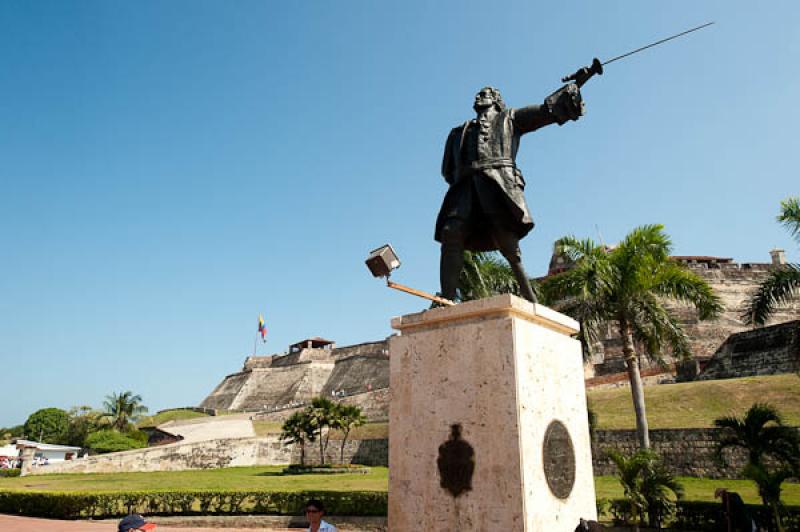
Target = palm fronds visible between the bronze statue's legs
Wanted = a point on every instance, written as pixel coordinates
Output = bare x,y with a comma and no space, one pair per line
485,274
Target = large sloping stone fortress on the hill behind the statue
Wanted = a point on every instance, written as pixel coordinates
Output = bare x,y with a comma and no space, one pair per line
273,386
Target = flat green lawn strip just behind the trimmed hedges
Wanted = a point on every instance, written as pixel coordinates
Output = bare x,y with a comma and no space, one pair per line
269,478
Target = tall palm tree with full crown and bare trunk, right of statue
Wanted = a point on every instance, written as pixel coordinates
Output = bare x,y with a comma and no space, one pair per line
627,286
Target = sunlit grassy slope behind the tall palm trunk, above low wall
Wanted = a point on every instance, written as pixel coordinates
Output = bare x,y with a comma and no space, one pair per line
697,404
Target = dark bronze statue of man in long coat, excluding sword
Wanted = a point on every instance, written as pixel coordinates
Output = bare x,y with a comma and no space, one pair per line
485,209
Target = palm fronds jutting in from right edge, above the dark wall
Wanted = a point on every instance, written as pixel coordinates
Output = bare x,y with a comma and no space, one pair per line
783,283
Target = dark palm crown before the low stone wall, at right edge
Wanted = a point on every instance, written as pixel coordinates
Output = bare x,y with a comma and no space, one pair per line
761,433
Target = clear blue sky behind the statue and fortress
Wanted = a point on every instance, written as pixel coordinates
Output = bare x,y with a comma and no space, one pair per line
169,170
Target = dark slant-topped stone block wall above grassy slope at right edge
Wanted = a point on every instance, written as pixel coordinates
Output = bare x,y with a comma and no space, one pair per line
764,351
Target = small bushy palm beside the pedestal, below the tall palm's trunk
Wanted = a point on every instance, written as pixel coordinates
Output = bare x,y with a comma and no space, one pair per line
650,490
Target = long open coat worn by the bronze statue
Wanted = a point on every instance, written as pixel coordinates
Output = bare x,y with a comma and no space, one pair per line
494,160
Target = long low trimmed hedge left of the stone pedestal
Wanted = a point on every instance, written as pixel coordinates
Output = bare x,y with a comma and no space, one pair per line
75,505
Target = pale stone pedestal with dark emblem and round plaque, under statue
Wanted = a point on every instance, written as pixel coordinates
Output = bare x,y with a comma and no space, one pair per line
488,427
